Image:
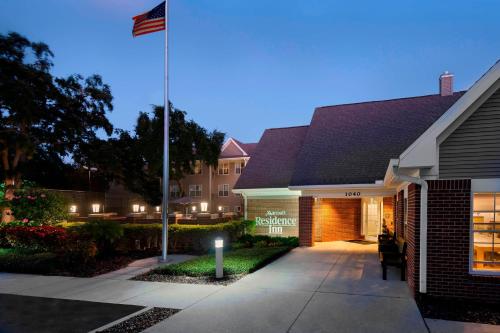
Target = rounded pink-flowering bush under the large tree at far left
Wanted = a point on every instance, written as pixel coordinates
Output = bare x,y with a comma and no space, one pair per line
38,205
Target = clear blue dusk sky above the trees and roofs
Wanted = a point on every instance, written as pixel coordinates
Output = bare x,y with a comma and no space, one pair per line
243,66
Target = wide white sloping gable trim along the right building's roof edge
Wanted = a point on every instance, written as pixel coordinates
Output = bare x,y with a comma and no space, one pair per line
422,152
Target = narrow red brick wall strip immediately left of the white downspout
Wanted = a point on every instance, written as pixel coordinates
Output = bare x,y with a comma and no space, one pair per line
413,237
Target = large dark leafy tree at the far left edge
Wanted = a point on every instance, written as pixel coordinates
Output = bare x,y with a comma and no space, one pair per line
43,114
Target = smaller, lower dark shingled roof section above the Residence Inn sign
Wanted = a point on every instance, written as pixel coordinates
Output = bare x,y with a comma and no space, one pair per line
272,164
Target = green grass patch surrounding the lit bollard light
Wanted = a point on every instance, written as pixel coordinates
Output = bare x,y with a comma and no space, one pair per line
240,261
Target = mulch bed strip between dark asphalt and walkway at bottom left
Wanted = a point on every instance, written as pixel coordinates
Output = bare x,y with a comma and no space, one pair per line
142,321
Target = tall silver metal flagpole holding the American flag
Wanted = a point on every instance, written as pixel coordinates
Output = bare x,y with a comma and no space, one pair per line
166,112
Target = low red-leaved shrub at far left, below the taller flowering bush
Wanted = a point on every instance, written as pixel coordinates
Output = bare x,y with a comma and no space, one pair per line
36,238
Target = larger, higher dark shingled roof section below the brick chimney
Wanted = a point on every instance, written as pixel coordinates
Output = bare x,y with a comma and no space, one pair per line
353,143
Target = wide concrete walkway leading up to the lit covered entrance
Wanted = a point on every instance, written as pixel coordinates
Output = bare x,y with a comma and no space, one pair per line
333,287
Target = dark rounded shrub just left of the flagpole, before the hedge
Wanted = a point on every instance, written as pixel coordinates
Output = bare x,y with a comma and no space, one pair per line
104,233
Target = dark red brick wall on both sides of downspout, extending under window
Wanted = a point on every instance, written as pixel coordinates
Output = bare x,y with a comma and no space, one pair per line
449,207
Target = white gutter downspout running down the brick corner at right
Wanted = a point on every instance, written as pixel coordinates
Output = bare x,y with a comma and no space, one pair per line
423,224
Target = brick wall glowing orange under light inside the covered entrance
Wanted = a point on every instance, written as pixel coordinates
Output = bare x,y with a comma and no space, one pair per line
340,219
